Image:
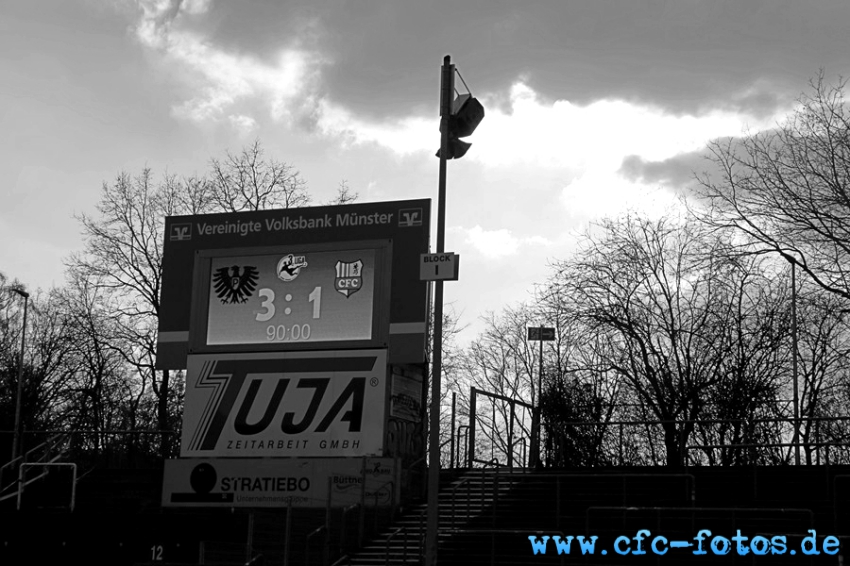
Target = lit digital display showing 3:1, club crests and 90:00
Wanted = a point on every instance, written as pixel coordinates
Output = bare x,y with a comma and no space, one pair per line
291,298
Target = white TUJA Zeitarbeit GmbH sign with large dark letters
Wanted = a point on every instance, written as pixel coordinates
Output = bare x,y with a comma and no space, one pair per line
285,404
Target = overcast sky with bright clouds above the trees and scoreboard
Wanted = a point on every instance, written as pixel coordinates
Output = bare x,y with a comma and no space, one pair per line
592,107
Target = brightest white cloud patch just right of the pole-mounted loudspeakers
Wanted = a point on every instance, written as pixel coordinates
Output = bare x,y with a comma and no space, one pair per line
562,134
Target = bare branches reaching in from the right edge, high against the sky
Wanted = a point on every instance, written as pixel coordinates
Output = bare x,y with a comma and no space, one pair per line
786,189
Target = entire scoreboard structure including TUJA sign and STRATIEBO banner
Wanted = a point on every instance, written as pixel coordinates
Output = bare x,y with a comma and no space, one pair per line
302,333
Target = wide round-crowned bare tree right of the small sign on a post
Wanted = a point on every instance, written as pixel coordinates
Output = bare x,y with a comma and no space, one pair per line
658,296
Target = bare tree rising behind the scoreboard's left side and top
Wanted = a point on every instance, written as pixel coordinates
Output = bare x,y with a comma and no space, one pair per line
122,259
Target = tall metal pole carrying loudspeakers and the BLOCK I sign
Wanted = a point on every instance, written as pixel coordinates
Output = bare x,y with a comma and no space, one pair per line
446,91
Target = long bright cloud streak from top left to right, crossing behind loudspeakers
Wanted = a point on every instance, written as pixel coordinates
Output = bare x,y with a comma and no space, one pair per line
521,128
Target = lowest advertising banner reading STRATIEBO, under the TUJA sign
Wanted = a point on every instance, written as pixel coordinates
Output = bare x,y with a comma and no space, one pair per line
260,482
